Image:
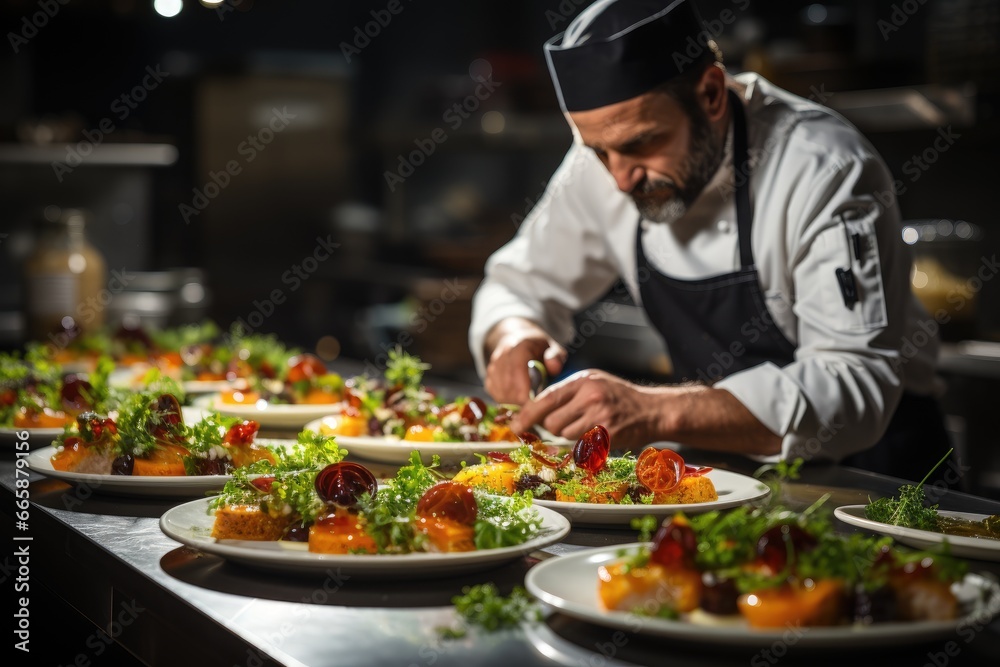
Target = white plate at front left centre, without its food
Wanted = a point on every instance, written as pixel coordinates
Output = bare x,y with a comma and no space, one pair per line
191,524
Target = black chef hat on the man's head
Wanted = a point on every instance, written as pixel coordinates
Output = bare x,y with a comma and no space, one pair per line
615,50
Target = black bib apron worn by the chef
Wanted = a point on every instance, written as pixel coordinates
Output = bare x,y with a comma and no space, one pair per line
717,326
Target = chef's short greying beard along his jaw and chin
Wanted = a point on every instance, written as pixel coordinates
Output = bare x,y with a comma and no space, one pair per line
702,162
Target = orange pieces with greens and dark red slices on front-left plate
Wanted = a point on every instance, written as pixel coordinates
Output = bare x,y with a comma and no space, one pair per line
341,508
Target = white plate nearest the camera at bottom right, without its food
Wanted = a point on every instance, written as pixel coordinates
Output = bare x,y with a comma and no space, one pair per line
569,583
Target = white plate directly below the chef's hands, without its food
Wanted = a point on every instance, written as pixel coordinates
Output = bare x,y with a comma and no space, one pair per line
733,488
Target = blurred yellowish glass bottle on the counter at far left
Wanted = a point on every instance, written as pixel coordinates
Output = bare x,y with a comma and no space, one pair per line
65,280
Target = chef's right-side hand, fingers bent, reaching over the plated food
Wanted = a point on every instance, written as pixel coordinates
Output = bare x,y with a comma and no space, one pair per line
630,412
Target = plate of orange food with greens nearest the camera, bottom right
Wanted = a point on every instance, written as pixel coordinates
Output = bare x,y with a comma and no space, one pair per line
758,571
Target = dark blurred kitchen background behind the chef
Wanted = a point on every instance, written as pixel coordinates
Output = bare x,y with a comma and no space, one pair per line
336,173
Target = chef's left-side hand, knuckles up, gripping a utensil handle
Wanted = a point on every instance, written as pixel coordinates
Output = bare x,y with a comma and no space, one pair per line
510,345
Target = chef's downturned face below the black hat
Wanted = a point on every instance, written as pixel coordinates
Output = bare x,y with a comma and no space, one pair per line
659,151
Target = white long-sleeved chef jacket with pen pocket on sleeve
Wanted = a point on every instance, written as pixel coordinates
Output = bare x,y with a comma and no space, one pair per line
808,167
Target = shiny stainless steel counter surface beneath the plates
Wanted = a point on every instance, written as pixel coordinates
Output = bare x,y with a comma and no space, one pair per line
169,605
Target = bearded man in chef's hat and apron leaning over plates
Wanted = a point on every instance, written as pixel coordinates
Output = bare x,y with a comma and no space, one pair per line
745,221
